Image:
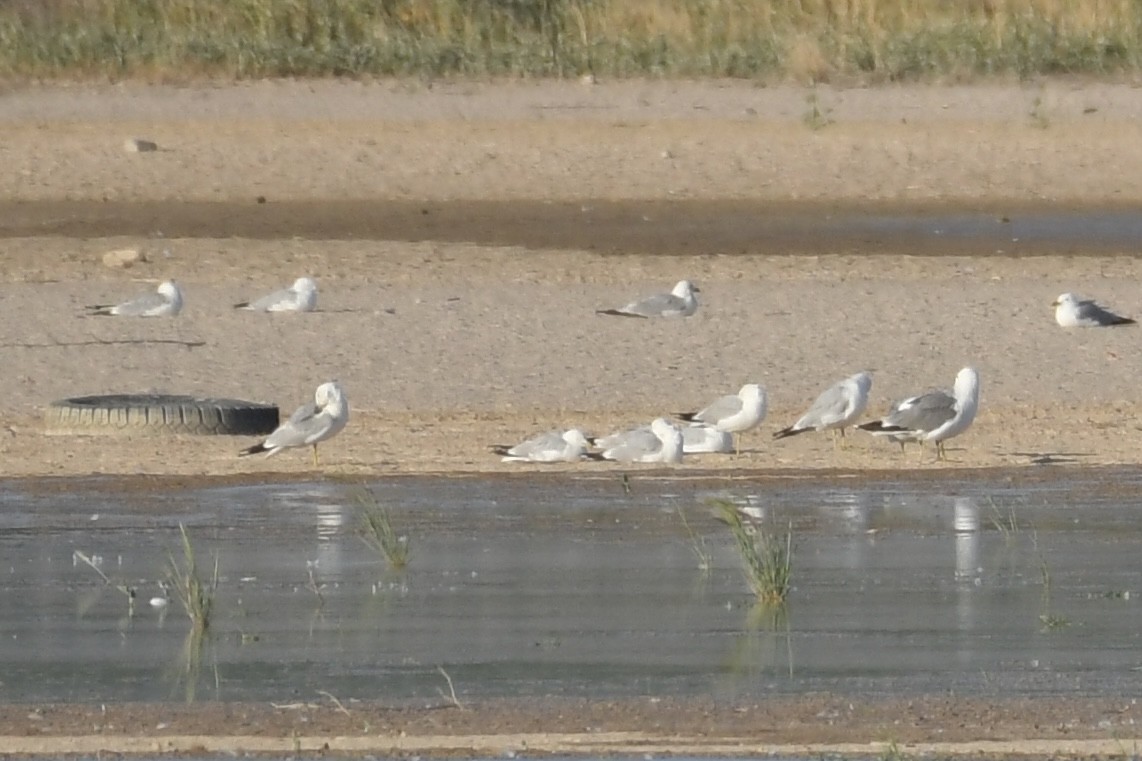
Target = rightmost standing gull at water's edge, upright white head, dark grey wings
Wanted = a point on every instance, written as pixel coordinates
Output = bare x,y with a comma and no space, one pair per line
936,416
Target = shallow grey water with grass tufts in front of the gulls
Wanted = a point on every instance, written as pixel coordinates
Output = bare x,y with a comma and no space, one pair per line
568,586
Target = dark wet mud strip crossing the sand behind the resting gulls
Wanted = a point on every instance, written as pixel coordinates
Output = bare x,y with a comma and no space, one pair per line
669,228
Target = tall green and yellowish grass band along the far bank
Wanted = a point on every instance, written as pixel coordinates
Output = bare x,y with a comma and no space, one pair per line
801,41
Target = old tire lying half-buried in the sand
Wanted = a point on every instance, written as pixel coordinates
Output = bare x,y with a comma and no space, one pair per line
148,414
